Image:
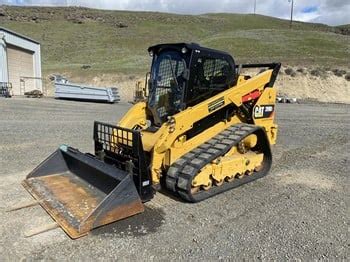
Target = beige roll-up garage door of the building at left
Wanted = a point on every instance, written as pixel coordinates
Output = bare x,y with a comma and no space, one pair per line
20,63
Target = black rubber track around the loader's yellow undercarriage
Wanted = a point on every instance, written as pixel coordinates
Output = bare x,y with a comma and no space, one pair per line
182,172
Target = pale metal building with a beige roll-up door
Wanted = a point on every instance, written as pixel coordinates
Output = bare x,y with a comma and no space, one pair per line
20,62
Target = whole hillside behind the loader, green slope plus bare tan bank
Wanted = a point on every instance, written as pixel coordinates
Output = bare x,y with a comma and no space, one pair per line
108,48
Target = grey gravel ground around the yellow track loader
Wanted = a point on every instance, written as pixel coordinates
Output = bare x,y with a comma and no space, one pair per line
299,211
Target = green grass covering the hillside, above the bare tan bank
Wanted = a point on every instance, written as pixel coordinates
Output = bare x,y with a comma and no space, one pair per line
66,46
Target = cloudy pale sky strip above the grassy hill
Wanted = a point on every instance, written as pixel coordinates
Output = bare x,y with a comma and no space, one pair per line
331,12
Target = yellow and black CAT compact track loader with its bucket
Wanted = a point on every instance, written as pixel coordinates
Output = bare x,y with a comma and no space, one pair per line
204,128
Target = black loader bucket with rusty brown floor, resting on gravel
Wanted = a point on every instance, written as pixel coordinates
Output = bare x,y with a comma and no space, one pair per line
81,192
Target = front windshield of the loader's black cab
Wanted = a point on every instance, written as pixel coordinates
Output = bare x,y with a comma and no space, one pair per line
167,85
